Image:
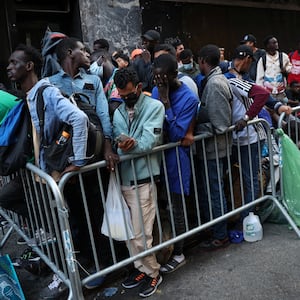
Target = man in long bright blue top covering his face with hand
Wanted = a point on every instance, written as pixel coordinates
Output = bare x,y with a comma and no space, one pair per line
181,105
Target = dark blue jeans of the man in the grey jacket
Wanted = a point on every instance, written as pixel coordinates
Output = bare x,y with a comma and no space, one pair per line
217,202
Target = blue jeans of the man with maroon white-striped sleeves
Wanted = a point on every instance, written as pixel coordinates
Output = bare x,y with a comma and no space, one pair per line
250,177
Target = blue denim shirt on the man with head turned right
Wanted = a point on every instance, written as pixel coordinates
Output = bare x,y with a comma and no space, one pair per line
89,85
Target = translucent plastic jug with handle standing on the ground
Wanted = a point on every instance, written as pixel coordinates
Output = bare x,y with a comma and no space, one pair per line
252,228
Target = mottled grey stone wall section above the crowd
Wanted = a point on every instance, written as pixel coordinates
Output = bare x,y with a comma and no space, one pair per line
117,21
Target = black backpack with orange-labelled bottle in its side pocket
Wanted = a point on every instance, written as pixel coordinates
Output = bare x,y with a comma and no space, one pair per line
56,155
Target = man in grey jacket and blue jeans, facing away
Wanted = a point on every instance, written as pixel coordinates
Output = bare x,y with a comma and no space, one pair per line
216,97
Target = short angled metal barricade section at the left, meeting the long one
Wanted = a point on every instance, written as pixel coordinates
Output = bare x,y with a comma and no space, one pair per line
47,229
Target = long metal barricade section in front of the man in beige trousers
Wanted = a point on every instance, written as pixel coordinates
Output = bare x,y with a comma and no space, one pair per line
191,204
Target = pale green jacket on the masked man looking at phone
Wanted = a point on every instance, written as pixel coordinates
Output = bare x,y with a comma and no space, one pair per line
147,129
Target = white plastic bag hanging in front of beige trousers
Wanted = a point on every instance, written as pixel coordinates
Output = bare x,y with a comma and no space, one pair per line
117,214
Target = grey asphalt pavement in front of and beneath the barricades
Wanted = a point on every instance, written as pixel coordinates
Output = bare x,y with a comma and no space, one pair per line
264,270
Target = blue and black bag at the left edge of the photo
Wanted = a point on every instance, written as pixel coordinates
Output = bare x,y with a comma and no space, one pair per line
16,147
